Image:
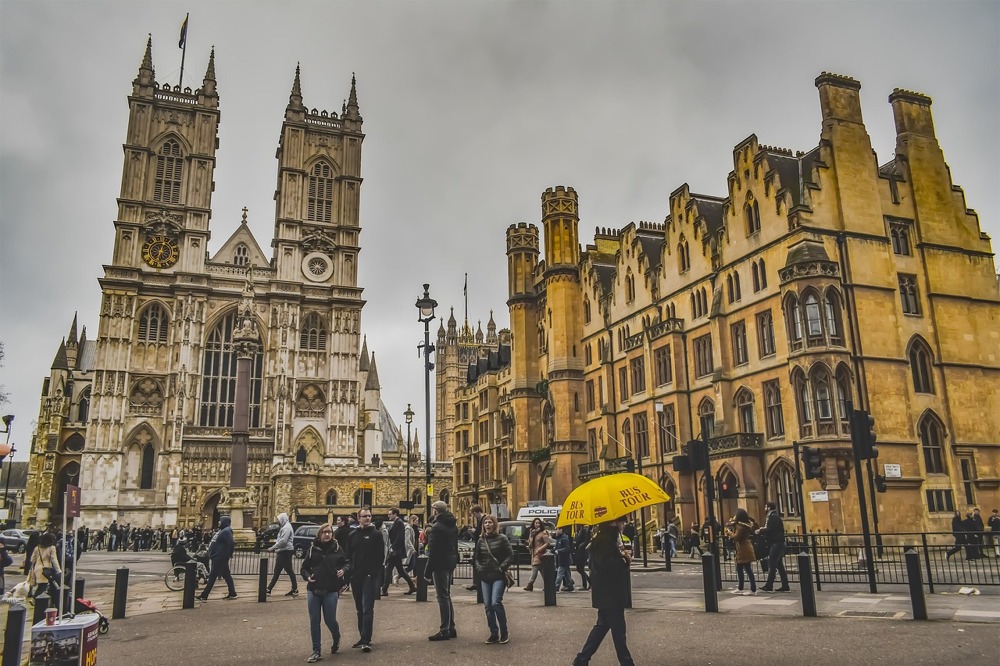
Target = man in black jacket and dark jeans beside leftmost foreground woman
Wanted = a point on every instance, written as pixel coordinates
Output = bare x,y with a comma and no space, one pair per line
365,550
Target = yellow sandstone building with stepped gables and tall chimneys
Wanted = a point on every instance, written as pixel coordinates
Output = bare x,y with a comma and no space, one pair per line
820,278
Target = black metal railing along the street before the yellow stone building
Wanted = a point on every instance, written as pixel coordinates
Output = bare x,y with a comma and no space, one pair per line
839,558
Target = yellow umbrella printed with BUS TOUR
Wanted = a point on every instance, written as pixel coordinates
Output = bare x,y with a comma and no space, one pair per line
609,497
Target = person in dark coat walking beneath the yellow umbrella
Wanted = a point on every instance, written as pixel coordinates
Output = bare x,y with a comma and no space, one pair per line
609,592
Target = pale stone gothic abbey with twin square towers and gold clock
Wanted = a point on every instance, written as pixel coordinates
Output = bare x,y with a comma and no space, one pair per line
141,416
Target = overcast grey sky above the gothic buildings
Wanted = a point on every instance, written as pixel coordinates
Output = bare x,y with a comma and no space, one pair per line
471,110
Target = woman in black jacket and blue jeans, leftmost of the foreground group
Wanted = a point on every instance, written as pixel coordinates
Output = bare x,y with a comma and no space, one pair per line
323,571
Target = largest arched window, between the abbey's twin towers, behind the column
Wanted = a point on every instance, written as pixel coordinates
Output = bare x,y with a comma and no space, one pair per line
218,388
